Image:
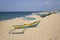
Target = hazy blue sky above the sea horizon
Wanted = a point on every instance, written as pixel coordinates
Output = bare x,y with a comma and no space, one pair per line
29,5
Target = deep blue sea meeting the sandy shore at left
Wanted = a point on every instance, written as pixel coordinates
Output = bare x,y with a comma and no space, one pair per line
10,15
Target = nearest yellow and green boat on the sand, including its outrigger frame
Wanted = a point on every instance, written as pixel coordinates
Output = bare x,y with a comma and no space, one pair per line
31,25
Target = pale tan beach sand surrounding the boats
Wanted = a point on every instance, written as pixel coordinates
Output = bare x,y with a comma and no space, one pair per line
48,29
